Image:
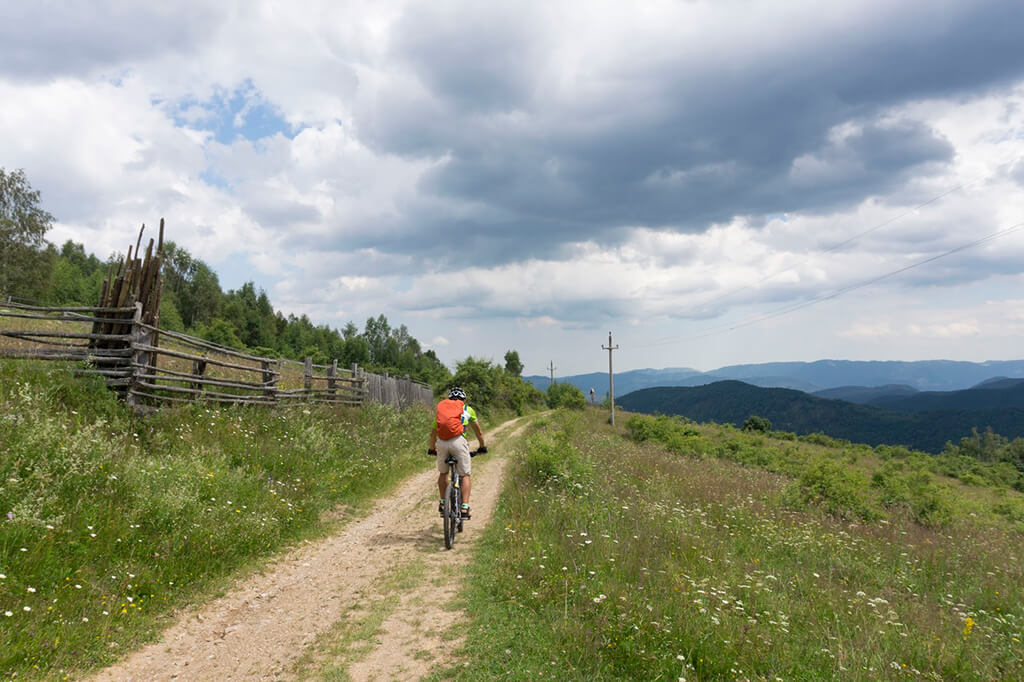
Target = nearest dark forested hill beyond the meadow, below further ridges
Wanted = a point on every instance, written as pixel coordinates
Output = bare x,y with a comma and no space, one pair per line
735,402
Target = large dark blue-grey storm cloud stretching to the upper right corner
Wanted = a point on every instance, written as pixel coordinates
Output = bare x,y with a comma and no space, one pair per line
685,144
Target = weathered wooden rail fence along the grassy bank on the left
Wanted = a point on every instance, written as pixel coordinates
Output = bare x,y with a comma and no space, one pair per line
117,345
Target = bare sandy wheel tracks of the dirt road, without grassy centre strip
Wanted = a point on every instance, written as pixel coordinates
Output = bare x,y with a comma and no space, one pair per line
260,629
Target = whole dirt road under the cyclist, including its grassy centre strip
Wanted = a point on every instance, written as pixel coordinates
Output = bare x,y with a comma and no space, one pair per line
372,601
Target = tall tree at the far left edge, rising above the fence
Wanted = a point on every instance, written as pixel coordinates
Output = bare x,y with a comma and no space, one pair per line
24,259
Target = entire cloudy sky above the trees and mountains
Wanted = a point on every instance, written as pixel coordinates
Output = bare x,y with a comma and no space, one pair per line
714,182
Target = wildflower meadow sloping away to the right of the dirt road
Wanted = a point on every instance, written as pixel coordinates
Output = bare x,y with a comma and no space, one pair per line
613,560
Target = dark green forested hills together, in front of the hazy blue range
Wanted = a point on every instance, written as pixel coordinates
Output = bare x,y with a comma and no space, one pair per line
923,420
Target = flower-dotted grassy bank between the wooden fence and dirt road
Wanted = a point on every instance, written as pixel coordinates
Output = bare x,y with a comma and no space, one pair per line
109,523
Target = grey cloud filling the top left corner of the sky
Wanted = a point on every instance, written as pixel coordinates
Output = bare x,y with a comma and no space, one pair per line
44,40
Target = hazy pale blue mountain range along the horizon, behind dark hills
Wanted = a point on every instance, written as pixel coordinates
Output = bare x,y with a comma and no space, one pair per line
810,377
